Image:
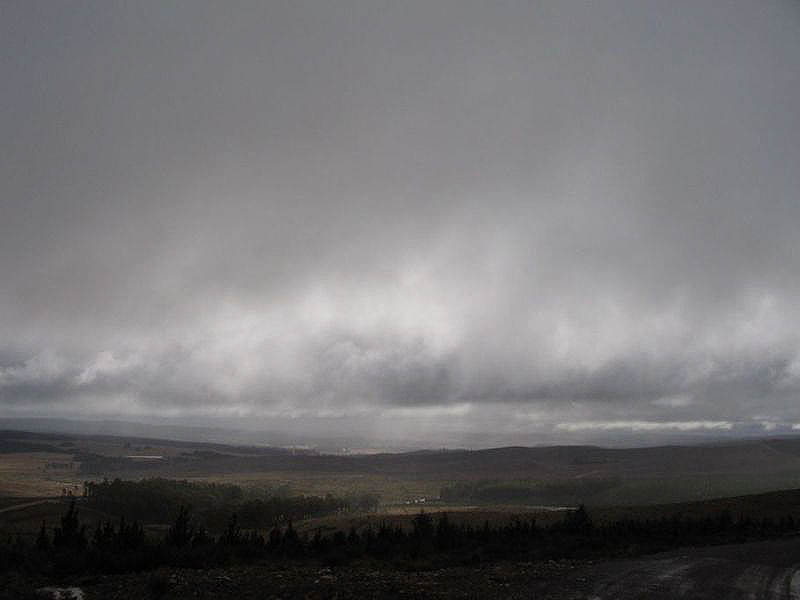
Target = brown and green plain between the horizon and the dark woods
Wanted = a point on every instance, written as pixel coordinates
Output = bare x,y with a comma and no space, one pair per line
566,475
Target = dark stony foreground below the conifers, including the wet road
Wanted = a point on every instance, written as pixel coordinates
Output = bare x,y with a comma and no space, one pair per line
768,570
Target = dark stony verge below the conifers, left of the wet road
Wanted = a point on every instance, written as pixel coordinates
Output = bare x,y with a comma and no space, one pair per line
506,580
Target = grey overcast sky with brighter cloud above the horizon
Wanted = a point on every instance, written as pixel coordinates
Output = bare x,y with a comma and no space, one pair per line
516,220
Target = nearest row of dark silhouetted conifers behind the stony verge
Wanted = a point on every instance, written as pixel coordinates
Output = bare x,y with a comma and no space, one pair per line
73,547
